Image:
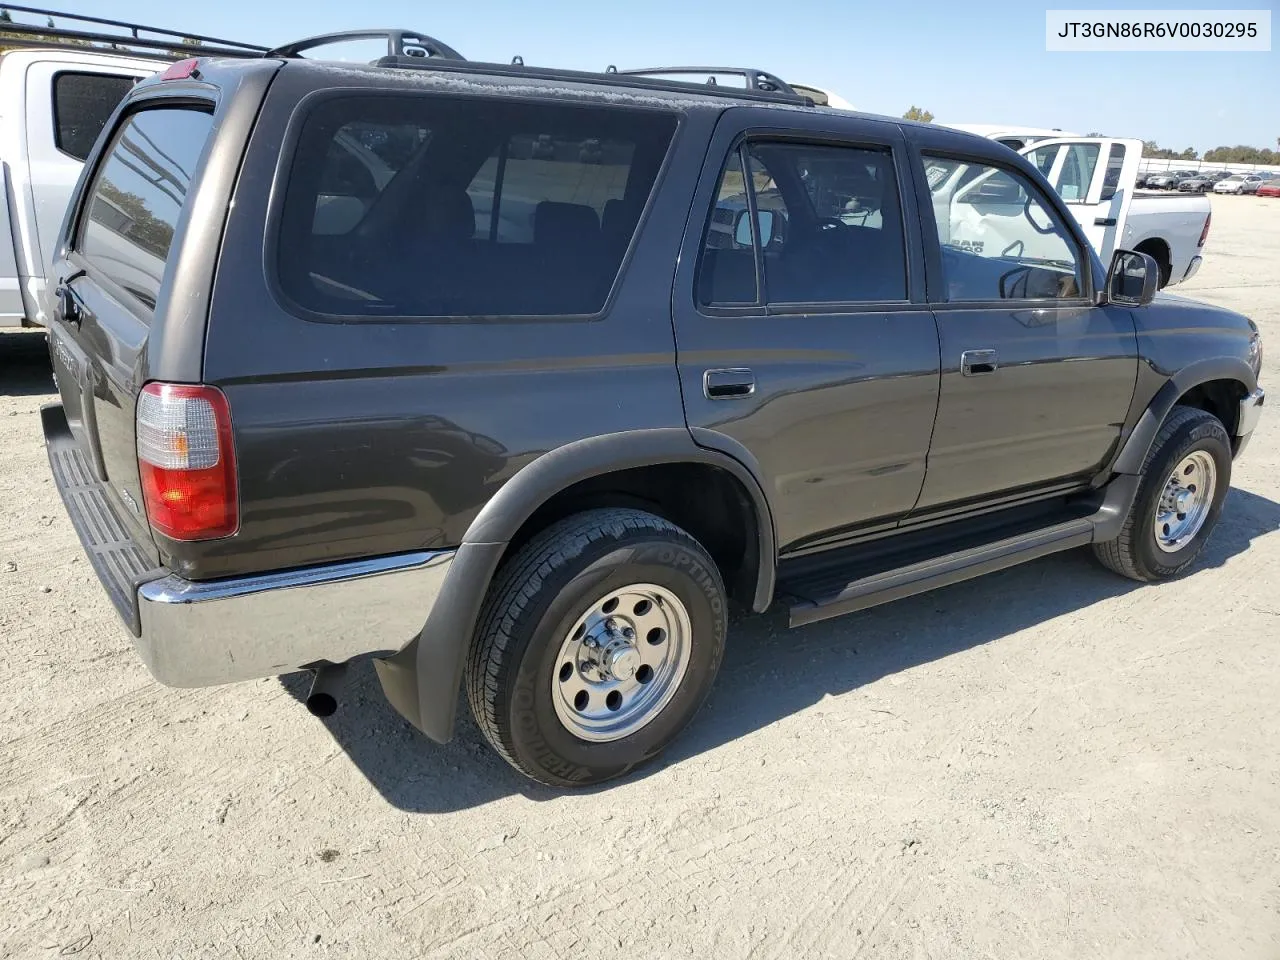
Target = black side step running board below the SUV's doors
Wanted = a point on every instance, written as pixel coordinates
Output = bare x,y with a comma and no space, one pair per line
941,572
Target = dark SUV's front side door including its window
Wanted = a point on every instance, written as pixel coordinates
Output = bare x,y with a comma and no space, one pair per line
1036,377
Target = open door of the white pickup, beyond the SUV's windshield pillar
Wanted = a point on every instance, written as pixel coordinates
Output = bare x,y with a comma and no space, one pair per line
1096,179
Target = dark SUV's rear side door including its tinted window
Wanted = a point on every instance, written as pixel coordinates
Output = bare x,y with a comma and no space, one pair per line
804,342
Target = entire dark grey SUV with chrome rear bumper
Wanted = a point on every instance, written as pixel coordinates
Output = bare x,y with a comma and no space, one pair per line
538,467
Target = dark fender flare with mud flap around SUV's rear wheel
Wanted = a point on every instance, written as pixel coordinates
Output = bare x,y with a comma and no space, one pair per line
423,680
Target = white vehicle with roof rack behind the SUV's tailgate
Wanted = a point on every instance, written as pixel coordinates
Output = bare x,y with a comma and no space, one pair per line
66,93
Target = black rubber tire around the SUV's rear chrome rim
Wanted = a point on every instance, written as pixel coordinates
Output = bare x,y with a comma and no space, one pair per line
533,605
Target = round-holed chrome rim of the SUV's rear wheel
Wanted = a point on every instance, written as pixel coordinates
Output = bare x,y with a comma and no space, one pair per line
621,662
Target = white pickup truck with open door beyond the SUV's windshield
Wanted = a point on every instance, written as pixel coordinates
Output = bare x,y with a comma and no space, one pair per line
1098,177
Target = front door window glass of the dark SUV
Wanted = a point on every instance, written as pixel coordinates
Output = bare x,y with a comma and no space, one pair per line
1000,240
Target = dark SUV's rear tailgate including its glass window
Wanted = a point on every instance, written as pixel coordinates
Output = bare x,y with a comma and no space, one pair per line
111,284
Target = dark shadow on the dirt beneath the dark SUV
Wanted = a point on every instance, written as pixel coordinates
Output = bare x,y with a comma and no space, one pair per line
770,673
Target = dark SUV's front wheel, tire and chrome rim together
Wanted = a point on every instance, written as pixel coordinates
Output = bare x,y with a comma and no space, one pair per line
1185,482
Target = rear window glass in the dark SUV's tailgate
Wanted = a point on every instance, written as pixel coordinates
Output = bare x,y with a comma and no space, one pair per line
139,194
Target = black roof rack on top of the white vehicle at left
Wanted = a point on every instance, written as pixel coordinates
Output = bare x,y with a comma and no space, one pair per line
166,44
